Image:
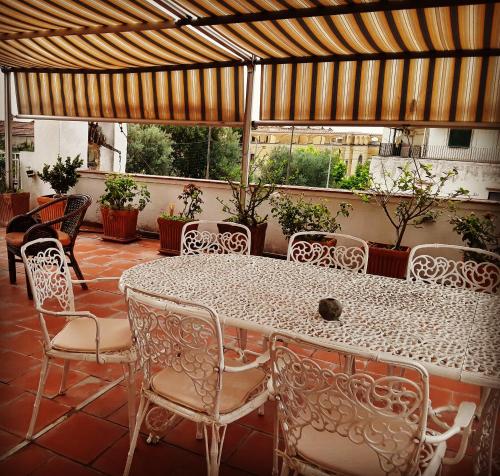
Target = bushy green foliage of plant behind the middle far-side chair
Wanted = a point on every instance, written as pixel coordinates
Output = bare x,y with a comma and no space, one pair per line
299,215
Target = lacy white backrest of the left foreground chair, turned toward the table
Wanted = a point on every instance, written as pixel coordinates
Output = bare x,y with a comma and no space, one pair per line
180,335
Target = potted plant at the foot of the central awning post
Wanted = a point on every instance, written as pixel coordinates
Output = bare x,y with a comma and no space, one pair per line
244,211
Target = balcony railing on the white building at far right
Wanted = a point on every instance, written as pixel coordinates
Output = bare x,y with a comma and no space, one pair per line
488,155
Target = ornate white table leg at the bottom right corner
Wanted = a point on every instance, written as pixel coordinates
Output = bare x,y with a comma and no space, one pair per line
488,415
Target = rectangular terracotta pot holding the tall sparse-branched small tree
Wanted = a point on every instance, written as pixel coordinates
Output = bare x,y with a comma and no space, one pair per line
384,261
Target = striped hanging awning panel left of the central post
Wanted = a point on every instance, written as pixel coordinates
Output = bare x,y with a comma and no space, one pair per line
202,95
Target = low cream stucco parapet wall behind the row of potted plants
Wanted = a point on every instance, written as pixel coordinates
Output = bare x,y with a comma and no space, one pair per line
366,221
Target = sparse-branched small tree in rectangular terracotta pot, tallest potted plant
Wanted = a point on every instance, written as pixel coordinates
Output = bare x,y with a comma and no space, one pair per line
420,192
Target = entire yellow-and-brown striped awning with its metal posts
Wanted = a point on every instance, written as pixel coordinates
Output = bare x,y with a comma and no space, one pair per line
351,62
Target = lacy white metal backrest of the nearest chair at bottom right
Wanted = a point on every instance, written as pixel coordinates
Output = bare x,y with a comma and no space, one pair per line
360,398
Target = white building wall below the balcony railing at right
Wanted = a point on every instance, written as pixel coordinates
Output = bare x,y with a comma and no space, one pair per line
476,178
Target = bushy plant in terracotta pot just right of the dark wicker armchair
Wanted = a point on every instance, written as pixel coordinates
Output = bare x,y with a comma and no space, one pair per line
120,203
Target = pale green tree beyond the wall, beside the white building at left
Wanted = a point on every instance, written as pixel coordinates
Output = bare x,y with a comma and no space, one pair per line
149,150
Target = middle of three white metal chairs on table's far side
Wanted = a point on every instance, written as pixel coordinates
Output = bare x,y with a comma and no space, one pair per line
333,250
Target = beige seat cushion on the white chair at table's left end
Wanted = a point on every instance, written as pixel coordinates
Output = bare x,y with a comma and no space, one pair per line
79,335
